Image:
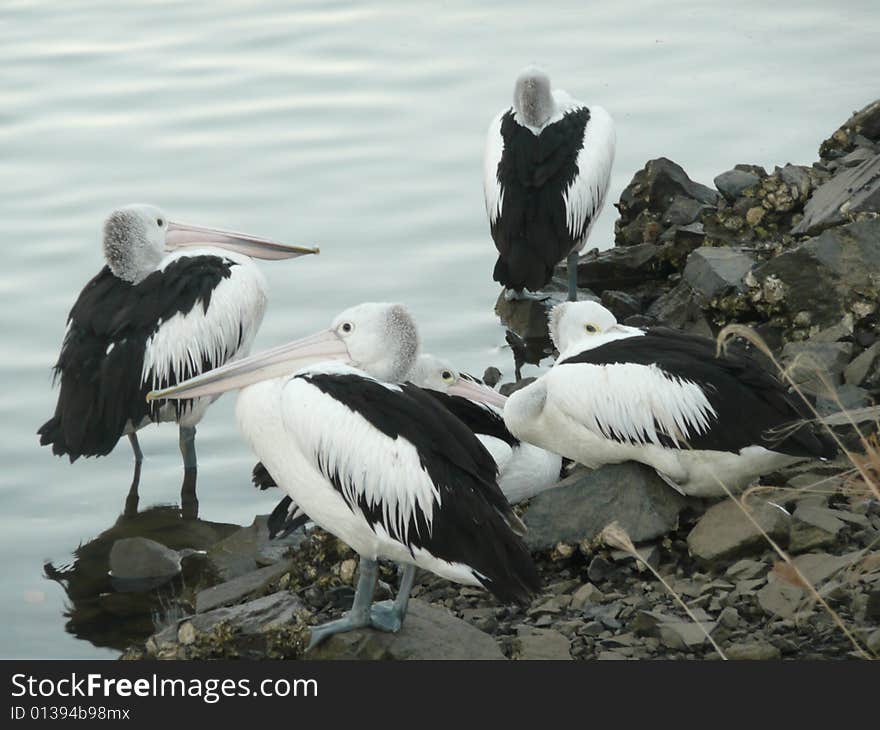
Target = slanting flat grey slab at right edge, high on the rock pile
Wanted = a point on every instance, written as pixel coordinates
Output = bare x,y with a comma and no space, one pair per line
846,195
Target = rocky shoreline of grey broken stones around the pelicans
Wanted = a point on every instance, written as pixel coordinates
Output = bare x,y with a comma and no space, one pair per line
793,253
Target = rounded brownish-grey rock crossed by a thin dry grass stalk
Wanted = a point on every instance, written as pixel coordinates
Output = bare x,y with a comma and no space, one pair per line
724,532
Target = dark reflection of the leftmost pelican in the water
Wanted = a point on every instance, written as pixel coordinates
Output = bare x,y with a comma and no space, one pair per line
112,610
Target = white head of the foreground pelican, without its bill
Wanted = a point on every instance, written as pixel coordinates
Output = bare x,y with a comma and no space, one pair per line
382,339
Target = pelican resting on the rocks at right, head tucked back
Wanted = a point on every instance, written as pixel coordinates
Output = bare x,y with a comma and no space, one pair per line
662,398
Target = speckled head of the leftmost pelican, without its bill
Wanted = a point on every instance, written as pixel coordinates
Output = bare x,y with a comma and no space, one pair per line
134,241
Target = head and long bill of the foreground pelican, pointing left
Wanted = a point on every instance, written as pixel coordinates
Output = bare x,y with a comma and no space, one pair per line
379,338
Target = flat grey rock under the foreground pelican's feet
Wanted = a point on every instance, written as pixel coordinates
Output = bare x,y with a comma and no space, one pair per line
427,633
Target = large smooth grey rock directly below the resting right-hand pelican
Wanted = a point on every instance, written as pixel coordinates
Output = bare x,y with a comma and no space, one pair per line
586,501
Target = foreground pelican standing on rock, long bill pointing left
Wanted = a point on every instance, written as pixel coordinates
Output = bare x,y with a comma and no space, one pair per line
374,460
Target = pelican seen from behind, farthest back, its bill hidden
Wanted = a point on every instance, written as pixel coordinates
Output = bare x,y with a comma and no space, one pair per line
547,167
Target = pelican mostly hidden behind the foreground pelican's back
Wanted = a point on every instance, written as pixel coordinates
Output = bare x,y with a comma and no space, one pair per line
524,470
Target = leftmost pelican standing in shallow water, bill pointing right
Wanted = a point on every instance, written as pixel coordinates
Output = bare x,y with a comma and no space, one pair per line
174,300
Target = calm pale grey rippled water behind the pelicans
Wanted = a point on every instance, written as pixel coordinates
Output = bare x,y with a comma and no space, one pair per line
355,126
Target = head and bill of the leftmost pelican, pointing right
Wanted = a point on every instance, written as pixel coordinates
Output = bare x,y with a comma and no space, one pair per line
137,237
